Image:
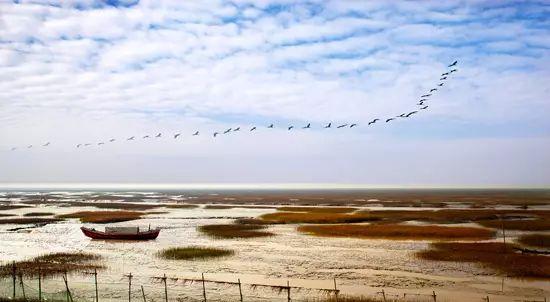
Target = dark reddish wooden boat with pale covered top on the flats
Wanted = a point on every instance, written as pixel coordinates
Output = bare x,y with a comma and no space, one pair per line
121,233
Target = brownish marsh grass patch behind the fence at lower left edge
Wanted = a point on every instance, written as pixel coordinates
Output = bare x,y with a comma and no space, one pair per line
54,264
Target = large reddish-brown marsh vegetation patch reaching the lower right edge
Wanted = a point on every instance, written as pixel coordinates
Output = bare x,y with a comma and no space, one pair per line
497,256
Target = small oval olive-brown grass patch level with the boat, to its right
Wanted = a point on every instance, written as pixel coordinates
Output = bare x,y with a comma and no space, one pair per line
232,231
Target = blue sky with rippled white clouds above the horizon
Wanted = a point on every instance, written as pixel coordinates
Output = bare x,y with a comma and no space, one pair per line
77,72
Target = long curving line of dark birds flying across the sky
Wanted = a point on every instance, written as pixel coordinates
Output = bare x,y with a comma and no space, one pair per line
421,106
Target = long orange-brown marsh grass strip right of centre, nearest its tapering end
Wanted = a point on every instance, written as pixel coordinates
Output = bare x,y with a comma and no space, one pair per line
397,231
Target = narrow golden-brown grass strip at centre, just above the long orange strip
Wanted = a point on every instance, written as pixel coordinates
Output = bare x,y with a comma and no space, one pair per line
309,217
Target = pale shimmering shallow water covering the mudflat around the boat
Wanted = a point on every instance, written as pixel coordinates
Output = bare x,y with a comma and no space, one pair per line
360,266
